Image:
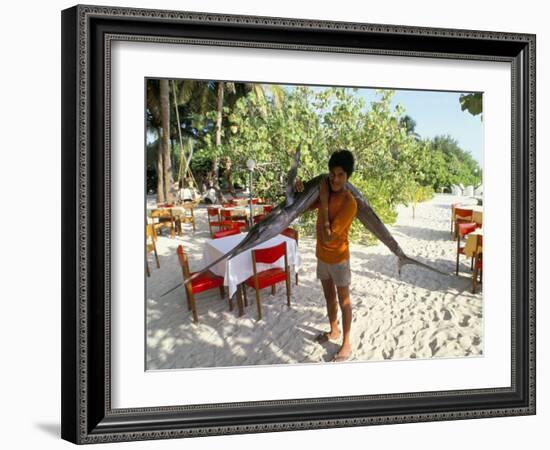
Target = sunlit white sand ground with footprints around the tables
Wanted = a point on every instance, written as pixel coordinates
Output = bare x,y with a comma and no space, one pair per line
419,314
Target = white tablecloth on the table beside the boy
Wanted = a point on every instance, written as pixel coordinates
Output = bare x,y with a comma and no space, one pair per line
239,268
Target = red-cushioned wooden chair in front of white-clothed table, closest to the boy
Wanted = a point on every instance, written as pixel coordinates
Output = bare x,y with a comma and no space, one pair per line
268,277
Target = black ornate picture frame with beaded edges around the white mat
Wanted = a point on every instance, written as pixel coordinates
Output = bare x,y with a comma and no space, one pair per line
87,415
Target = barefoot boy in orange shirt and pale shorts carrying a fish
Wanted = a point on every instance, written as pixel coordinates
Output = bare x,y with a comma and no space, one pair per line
336,211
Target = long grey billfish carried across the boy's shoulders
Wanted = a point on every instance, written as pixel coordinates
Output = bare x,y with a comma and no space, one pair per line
295,204
